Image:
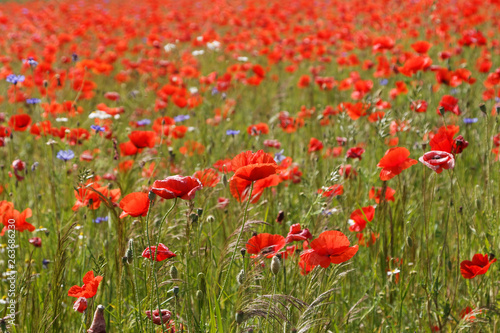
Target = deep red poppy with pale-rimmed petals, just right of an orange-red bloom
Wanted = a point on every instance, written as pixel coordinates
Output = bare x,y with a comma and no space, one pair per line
183,187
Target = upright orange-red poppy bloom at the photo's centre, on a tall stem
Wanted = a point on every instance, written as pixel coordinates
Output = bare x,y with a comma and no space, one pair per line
253,166
